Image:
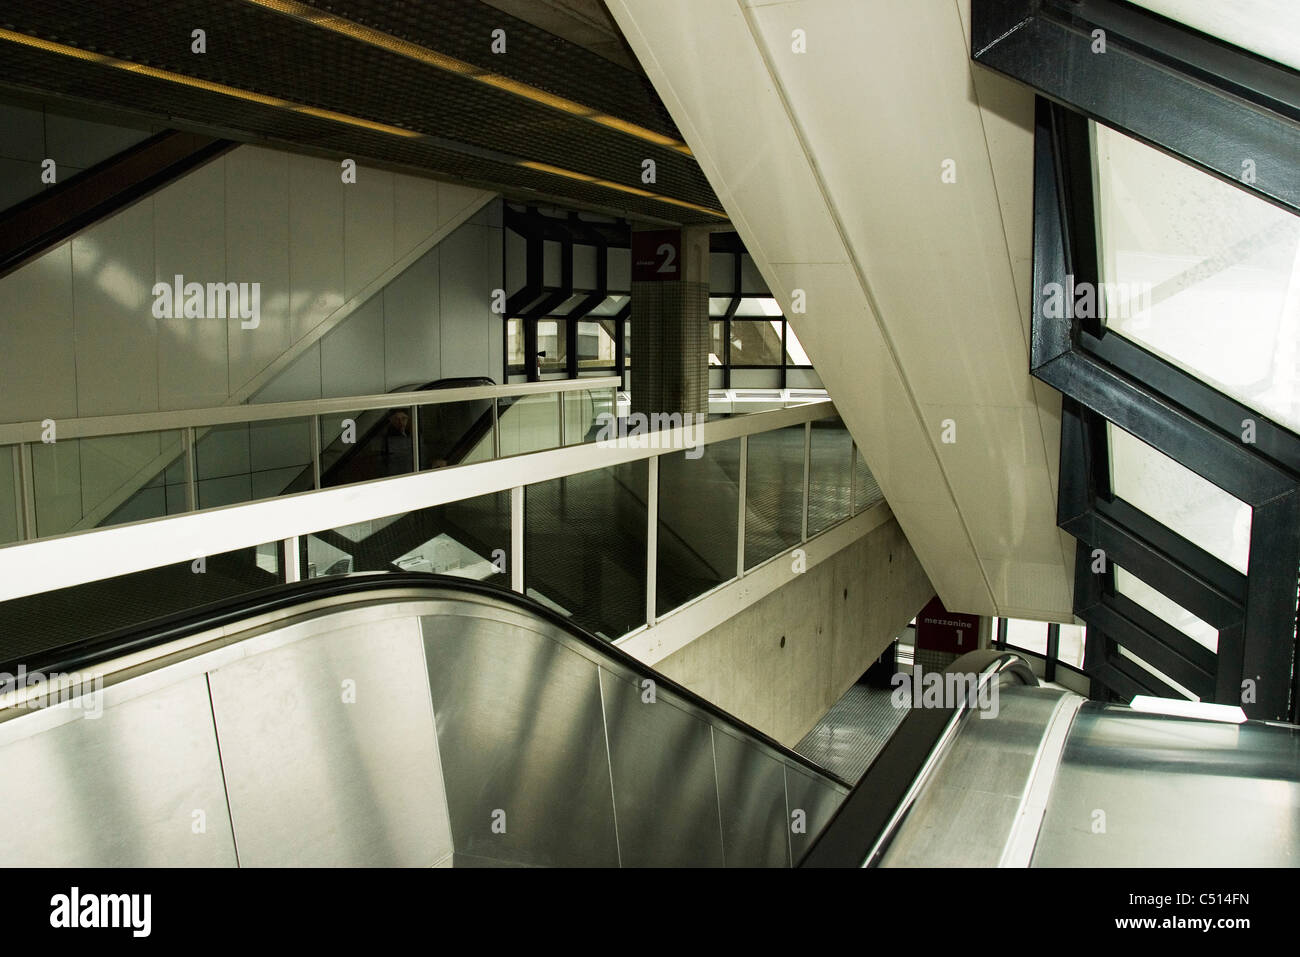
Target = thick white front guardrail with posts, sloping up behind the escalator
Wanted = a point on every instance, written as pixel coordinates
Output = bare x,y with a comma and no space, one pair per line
97,555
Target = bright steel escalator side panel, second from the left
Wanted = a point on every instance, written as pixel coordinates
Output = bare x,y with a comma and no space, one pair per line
330,750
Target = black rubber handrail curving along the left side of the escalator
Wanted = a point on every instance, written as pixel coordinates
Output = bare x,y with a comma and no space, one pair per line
85,656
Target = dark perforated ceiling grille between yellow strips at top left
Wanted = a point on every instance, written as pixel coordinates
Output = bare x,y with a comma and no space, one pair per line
470,131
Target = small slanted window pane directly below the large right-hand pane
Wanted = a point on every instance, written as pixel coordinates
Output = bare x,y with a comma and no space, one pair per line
1180,499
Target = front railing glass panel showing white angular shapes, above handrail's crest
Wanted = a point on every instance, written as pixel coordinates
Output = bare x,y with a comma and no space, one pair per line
467,539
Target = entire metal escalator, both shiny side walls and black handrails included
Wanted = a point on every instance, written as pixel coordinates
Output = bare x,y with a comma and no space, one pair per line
421,721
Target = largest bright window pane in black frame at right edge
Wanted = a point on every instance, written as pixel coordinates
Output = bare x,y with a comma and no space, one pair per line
1219,269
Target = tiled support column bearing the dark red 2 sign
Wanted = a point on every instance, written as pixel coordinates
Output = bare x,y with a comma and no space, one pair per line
670,321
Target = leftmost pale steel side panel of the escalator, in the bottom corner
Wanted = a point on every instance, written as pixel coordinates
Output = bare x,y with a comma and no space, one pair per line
127,789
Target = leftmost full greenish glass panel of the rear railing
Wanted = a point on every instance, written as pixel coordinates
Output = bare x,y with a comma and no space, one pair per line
110,480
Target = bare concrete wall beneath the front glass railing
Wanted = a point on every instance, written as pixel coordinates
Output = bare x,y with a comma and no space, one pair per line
835,621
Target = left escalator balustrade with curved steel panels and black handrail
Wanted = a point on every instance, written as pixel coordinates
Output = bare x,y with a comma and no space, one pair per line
389,720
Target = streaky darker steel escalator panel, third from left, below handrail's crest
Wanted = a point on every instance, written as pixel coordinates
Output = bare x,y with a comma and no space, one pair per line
521,731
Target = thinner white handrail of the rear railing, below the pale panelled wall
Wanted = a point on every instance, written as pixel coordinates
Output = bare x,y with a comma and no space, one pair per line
93,427
